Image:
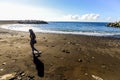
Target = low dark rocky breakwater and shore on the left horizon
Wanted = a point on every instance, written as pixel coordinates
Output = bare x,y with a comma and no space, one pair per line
23,22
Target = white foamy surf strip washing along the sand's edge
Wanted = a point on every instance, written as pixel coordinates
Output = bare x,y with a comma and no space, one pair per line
24,27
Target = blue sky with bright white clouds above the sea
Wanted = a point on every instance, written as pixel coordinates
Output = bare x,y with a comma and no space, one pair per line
60,10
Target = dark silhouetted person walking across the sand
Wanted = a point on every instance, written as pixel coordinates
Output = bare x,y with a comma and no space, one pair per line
33,40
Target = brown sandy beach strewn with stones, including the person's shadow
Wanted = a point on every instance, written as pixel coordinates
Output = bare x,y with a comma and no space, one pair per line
64,57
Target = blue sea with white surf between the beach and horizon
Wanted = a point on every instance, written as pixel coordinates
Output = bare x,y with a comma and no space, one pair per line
78,28
